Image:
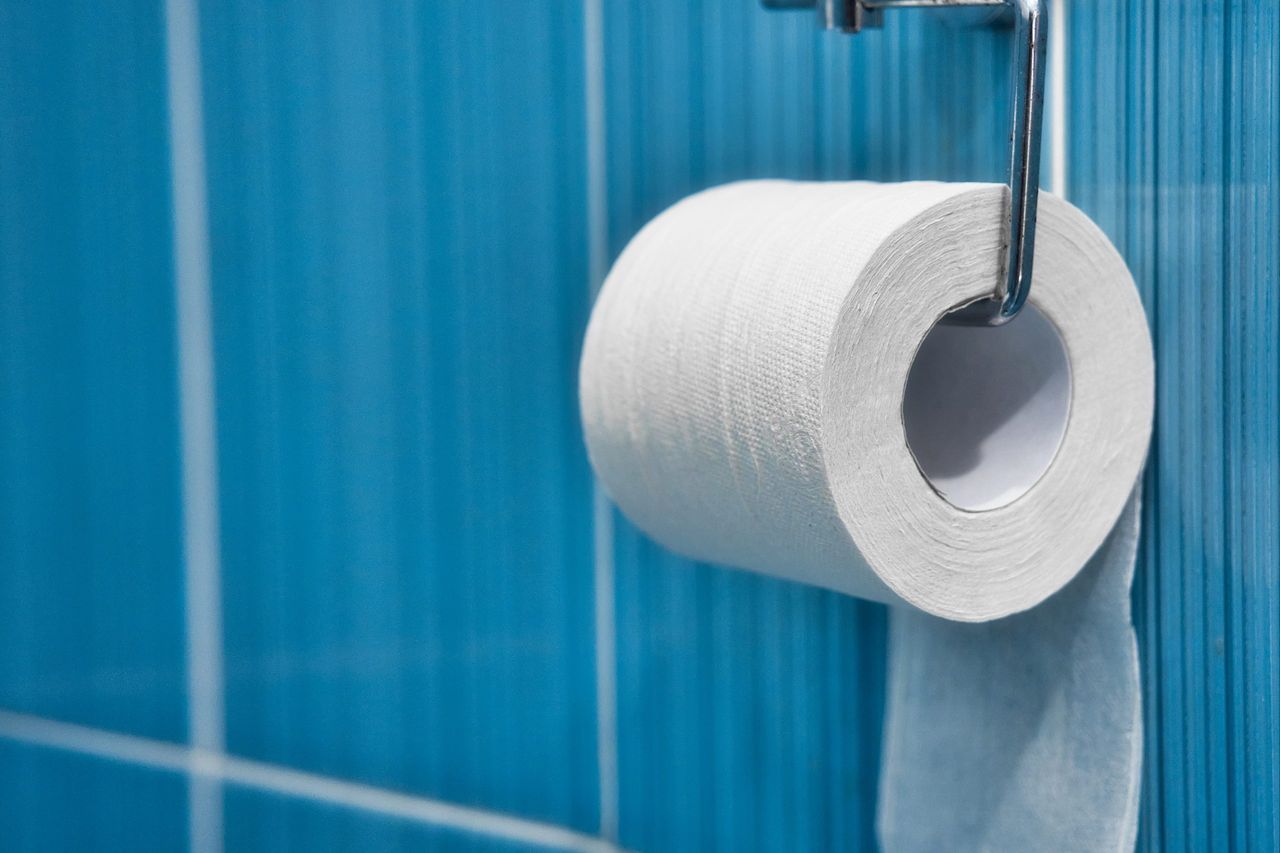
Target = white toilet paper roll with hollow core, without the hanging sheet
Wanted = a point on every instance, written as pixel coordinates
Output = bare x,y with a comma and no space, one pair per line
746,396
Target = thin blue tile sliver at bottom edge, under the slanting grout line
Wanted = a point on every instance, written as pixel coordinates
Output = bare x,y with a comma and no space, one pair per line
260,820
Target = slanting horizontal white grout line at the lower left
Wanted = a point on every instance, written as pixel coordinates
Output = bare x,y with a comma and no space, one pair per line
218,769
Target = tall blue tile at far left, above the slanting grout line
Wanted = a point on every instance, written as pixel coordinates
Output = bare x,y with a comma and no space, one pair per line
90,510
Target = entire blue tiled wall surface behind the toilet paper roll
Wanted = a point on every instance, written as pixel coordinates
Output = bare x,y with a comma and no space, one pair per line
399,232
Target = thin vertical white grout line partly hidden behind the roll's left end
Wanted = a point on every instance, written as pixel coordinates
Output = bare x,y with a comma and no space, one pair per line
597,225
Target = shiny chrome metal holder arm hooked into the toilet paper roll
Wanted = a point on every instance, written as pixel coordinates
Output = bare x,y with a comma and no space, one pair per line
1030,43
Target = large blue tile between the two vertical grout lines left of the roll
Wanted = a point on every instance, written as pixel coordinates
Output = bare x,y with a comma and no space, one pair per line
400,290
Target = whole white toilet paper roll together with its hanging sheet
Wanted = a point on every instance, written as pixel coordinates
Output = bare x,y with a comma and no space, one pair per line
744,391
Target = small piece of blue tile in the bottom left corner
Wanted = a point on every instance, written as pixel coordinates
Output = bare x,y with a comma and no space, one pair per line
60,801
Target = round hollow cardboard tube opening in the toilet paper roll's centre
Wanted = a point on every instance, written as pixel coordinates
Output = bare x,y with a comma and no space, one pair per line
986,408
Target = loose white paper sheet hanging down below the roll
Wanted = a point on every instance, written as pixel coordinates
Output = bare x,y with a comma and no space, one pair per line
1025,733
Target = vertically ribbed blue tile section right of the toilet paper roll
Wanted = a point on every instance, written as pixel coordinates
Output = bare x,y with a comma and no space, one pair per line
1176,152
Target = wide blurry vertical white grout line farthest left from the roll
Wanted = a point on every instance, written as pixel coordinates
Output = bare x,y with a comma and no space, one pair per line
196,400
